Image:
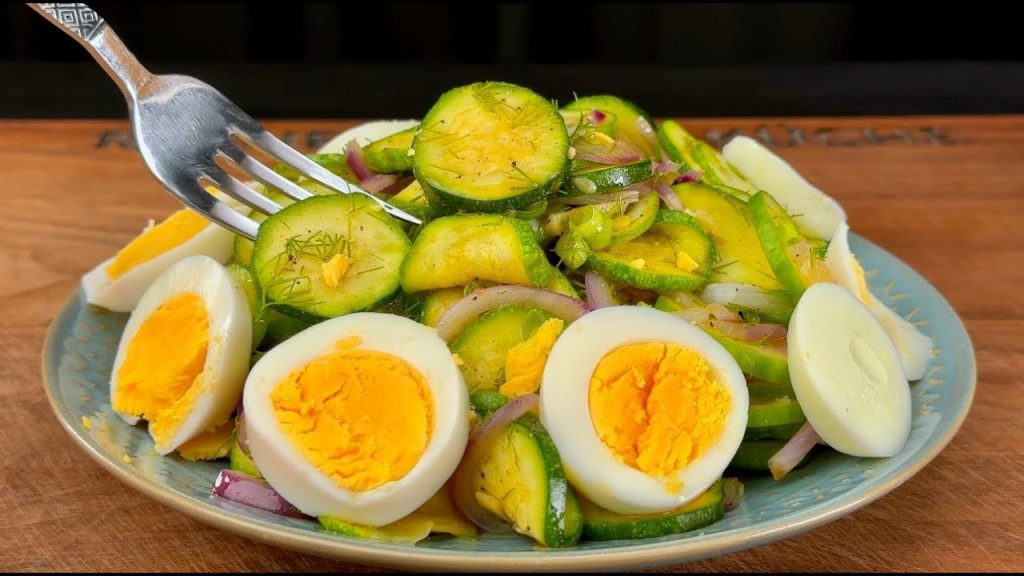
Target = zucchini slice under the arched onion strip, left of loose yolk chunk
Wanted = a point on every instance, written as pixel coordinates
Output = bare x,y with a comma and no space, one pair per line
484,346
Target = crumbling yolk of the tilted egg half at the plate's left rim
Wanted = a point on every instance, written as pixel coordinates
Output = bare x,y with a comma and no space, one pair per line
161,383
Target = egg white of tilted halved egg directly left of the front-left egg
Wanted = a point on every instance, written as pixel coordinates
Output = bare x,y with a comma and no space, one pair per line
230,341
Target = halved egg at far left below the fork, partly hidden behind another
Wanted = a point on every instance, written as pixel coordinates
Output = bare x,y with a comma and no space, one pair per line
118,283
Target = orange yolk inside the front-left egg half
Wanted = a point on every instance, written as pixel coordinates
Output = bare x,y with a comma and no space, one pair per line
362,418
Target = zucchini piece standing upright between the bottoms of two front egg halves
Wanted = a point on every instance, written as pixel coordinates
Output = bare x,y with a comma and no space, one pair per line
522,480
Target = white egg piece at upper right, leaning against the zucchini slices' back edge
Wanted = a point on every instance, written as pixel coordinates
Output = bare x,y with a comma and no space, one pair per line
816,213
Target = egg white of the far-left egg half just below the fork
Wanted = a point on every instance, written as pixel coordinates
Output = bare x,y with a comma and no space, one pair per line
123,294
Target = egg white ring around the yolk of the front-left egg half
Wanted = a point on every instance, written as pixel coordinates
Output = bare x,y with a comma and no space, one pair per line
298,480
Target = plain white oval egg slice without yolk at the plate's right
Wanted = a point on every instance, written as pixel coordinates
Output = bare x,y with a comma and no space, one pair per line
846,375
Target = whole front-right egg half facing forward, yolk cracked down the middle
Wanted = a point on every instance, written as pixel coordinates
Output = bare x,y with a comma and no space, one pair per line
647,410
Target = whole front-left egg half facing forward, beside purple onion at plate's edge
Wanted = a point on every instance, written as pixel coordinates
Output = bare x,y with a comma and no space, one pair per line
362,418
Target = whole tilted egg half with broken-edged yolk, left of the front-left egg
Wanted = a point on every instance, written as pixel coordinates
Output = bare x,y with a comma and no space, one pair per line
185,353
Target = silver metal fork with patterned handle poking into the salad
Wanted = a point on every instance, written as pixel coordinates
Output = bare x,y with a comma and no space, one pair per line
188,133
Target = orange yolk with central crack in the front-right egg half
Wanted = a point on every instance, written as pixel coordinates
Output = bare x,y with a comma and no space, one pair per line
657,406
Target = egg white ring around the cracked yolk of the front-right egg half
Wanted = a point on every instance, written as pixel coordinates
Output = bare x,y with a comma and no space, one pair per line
591,466
